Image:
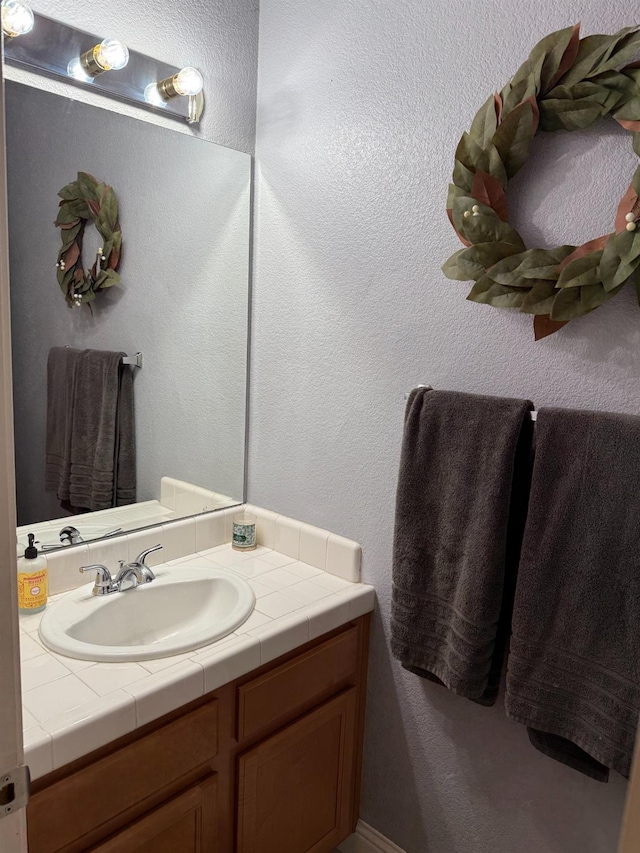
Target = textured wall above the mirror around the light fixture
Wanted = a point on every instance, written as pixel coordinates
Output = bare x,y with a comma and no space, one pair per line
220,37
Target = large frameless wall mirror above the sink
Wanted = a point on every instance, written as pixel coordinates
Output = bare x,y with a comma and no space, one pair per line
182,302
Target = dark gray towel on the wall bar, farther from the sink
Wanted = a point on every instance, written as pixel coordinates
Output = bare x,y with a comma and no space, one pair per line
574,664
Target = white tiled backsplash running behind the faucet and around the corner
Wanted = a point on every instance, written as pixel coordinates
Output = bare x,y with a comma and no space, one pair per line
311,545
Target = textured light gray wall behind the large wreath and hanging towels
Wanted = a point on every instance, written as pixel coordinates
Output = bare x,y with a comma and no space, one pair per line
360,106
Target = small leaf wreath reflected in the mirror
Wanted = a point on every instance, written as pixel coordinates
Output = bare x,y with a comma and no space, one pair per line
82,200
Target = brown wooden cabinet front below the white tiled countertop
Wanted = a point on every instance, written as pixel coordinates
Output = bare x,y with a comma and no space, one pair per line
267,764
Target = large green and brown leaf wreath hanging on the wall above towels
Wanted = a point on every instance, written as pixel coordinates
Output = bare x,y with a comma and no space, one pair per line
567,83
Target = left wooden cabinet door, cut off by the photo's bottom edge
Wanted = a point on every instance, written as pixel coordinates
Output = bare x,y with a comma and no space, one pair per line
185,824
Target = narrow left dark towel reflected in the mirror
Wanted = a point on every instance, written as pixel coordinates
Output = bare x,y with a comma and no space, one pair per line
61,373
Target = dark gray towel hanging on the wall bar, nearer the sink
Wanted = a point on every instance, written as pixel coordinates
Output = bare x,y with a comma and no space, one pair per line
461,504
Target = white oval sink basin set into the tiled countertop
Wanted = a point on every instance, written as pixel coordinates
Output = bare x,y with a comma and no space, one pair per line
182,609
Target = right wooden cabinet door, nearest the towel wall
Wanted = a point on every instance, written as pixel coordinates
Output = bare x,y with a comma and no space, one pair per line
296,788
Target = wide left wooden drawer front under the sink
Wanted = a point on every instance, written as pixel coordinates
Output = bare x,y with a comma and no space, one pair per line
111,791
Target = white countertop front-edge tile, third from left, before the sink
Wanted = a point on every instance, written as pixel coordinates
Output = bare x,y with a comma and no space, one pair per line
166,690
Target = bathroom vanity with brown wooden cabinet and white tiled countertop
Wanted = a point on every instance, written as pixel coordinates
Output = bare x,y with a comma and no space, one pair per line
250,744
